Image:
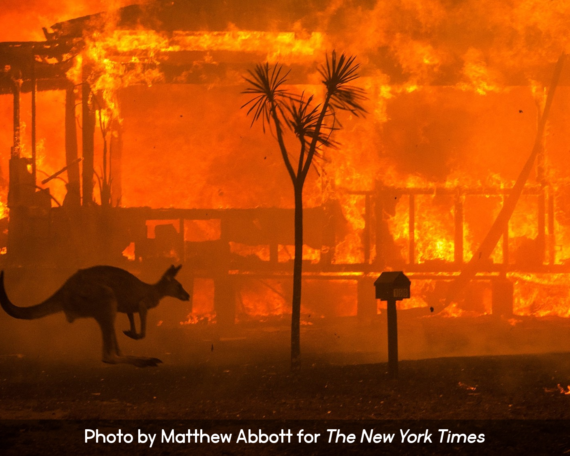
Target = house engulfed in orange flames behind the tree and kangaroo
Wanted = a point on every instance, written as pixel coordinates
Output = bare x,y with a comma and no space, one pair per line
128,146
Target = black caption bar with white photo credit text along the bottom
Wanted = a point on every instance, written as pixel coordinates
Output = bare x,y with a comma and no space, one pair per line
284,437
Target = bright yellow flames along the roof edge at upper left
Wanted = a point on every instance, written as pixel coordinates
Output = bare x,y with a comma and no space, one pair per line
121,58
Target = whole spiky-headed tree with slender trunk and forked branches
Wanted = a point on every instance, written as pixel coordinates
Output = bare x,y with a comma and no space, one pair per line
313,125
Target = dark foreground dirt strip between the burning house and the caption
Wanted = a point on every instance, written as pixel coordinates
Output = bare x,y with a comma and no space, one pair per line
473,388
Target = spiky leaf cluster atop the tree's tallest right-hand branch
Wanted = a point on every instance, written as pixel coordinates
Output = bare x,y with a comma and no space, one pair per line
337,73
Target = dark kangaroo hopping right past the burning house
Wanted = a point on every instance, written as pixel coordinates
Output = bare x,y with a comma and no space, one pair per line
100,292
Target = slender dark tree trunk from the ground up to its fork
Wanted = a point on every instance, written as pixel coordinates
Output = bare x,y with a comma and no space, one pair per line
297,277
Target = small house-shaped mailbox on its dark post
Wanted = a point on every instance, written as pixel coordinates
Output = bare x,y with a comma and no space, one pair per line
392,286
